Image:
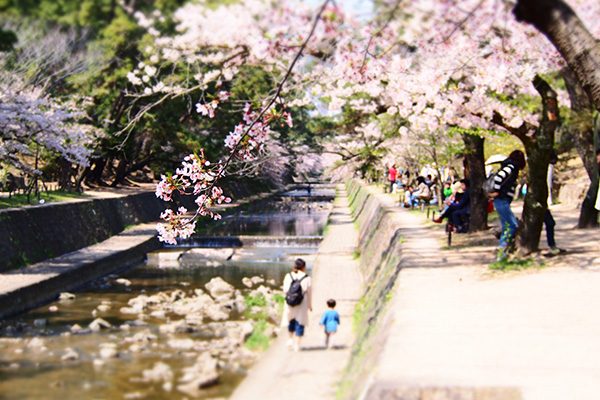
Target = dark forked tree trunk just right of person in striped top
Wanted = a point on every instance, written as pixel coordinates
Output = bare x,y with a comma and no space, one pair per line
539,143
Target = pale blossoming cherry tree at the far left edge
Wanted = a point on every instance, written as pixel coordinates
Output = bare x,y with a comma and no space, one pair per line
32,122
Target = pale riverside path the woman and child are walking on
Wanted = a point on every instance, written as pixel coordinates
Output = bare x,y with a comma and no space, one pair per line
313,372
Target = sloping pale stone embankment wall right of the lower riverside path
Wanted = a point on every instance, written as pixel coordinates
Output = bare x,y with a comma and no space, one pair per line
380,245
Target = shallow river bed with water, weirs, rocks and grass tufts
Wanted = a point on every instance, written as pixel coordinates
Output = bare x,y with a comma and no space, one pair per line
188,322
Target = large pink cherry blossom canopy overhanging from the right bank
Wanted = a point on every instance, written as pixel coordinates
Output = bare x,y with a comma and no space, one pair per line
430,66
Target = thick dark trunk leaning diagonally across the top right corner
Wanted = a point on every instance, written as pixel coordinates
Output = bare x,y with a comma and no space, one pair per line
560,24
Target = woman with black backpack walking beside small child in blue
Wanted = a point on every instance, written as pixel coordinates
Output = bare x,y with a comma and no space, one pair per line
297,286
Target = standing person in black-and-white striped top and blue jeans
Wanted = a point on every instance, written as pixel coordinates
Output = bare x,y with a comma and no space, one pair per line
505,183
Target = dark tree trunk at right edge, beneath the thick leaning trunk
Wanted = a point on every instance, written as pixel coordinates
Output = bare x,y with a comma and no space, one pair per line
585,137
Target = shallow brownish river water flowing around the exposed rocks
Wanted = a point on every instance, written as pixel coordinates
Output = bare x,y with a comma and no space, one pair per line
33,346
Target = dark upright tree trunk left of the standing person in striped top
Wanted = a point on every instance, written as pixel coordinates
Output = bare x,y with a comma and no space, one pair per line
475,173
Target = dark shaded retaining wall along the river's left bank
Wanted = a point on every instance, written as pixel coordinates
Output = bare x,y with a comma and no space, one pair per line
36,233
